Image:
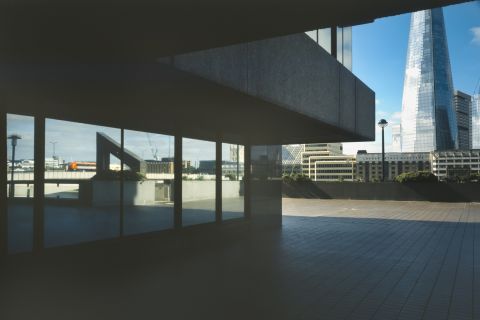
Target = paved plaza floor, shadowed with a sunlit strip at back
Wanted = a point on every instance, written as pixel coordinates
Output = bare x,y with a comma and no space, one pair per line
332,259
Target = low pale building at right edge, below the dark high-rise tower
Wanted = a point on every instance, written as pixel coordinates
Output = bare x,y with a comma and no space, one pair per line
455,163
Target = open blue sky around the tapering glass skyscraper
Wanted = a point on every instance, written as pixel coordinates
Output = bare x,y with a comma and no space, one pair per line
379,56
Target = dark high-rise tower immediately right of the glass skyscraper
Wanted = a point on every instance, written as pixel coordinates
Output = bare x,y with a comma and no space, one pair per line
463,110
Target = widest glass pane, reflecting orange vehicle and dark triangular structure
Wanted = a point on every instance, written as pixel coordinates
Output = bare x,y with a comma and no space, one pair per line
82,187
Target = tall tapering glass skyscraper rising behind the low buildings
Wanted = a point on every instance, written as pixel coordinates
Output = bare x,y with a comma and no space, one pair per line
428,117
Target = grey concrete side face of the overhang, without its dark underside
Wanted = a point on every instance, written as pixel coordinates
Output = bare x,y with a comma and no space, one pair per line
295,73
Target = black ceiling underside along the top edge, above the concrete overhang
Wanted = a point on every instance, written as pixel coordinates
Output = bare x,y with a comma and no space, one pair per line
141,30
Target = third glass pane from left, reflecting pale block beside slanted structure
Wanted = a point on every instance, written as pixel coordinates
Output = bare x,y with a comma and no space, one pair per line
148,185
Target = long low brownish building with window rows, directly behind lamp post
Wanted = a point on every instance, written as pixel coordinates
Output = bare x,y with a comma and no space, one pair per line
369,165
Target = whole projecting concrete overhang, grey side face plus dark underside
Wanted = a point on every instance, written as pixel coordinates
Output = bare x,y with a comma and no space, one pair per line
276,91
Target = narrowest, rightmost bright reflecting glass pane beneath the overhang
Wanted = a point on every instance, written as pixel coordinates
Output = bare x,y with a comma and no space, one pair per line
232,181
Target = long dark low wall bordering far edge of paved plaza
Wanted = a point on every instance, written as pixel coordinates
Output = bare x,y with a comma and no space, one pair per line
437,192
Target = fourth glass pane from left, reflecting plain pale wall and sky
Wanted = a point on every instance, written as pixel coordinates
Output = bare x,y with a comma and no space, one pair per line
198,181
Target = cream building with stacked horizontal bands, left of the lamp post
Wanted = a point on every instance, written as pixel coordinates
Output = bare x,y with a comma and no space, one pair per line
326,162
